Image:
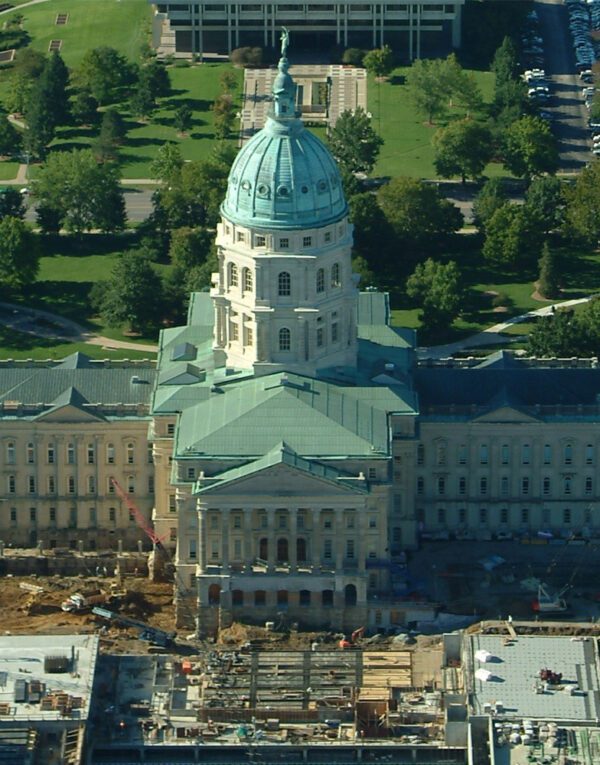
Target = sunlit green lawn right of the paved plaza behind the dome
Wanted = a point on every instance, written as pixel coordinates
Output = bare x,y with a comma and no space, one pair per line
407,148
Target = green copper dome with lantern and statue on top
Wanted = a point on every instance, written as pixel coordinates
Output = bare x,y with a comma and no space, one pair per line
284,177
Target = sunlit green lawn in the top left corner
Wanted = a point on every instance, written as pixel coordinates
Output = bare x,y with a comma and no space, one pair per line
121,24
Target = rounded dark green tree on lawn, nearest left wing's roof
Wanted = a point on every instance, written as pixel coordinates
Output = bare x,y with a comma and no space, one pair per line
132,296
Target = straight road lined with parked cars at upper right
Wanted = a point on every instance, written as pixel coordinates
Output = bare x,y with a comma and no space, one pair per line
570,123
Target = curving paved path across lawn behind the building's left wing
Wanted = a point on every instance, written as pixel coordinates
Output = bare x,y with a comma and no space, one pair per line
33,321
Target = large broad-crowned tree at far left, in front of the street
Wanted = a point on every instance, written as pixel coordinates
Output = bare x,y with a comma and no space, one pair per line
82,193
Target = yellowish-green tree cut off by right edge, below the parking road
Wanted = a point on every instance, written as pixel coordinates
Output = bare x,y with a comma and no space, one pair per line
583,205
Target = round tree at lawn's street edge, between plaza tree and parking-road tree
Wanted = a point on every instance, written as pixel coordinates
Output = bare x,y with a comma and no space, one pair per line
462,148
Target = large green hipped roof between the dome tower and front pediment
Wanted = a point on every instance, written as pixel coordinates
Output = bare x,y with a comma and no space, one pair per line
250,417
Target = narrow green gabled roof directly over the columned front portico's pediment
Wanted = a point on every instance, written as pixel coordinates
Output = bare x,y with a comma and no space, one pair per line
281,454
